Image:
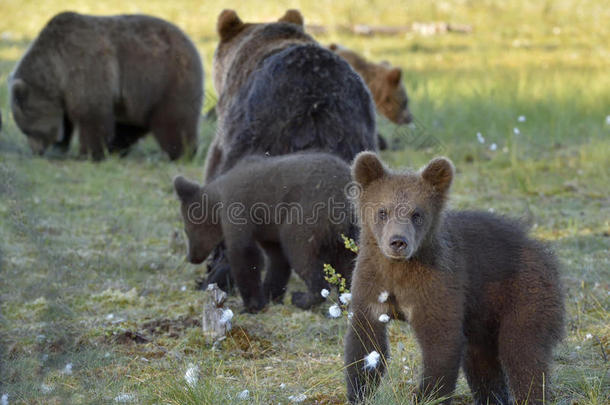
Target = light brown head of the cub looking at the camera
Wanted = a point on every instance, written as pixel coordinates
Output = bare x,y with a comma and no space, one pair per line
400,210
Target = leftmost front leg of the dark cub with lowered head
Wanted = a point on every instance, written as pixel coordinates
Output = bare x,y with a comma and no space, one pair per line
245,260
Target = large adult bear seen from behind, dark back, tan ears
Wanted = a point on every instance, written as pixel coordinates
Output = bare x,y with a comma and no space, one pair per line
281,92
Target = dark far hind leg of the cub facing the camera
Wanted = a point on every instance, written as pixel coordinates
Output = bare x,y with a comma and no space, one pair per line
485,376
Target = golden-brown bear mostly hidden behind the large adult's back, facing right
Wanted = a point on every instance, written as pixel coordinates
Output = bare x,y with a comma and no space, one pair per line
384,82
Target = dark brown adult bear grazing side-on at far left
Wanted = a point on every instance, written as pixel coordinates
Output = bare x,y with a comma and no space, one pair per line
112,79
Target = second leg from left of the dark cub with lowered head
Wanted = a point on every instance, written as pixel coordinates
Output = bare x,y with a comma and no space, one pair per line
278,272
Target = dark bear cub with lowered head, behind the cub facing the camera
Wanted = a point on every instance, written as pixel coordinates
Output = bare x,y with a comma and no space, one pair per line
292,207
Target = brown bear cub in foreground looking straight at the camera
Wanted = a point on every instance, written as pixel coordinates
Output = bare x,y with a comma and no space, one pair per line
478,292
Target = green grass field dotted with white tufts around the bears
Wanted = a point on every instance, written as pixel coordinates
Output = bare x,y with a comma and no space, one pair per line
99,306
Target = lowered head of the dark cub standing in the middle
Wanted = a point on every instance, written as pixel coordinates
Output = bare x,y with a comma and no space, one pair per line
201,225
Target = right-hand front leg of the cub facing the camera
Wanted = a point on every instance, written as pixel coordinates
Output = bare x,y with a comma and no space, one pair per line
441,341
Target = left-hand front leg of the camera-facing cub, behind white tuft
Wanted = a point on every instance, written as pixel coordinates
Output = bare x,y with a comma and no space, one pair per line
365,335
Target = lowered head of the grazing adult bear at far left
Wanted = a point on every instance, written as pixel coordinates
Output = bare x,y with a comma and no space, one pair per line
38,117
